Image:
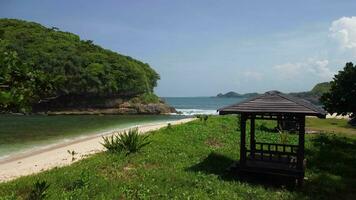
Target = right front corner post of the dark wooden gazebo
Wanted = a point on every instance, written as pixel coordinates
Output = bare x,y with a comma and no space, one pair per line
300,159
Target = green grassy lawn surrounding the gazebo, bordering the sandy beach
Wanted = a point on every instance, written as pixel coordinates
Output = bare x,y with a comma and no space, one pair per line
189,162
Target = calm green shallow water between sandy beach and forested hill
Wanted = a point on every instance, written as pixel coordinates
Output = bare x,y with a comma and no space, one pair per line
21,133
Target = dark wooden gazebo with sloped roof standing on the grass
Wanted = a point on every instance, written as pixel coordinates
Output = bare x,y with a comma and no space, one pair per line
273,158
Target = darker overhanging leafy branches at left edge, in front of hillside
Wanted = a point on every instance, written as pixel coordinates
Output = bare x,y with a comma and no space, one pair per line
20,85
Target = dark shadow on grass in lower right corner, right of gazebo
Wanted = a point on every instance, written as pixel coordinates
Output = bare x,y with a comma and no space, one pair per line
332,167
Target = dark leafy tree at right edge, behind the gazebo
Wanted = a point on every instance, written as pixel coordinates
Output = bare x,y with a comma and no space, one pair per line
341,98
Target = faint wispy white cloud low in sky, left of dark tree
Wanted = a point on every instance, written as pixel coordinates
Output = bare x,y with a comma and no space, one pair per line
310,67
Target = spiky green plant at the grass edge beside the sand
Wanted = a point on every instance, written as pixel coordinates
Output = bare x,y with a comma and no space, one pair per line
128,142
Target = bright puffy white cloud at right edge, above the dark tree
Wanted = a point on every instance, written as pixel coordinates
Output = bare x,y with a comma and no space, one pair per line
343,30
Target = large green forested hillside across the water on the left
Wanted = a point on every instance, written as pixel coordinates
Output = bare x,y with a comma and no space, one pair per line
40,64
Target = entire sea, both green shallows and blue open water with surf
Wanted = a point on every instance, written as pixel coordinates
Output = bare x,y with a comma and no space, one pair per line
20,133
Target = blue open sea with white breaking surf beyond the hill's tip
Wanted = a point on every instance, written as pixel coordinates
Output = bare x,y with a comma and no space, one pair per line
200,105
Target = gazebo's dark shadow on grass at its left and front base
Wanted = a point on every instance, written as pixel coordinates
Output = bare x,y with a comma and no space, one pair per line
227,169
